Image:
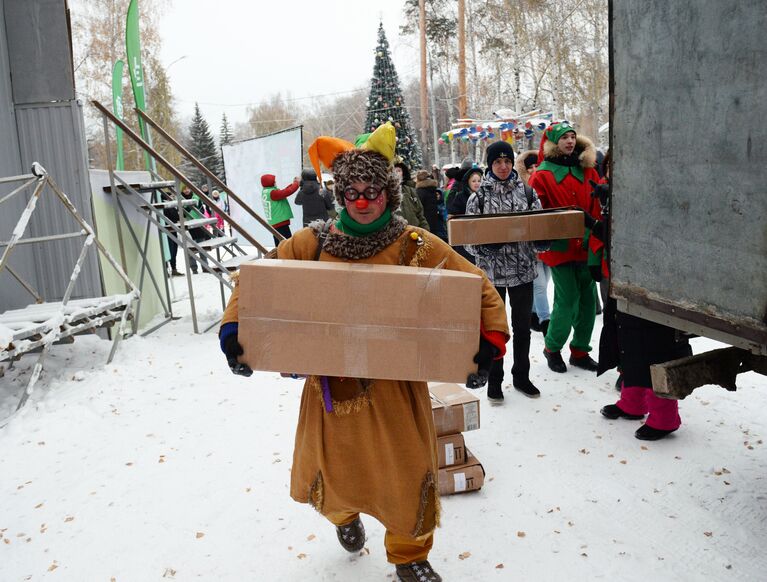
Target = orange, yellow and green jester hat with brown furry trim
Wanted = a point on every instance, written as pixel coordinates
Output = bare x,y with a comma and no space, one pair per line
368,160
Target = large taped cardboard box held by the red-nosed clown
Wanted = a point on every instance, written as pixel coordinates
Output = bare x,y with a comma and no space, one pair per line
359,321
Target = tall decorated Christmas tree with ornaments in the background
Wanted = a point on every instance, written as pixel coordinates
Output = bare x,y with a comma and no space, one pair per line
385,103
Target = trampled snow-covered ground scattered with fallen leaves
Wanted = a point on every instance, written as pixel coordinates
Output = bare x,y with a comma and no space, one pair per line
164,466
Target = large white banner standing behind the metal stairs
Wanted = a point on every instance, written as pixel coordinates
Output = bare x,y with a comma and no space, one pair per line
246,161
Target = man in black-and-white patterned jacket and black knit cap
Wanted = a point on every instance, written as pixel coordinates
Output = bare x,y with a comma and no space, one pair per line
509,266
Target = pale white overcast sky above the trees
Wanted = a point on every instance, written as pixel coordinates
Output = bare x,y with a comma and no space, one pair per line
237,52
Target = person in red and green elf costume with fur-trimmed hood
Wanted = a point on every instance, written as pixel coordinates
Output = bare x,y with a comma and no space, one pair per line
565,165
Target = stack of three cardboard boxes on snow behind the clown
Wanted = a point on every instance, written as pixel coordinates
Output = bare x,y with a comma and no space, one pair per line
455,410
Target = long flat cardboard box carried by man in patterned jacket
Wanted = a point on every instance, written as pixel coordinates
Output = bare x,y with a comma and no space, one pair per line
557,223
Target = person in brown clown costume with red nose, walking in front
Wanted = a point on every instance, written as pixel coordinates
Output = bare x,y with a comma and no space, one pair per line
366,445
